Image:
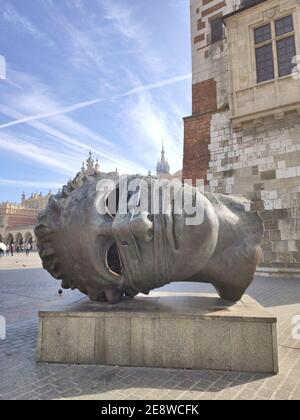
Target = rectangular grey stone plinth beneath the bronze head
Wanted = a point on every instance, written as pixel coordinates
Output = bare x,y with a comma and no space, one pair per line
167,330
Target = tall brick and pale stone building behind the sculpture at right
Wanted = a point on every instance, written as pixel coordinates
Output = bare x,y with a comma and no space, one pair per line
244,133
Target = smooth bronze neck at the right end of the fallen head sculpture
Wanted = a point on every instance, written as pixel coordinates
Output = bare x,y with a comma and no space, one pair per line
232,267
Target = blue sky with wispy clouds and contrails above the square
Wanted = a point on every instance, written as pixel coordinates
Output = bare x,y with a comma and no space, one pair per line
113,76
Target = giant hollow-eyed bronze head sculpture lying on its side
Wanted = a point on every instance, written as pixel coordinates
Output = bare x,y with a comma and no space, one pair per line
106,253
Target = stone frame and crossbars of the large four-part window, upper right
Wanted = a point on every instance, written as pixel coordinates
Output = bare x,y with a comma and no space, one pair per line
273,40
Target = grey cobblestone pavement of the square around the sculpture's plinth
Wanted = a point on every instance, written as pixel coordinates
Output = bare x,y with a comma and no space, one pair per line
24,291
